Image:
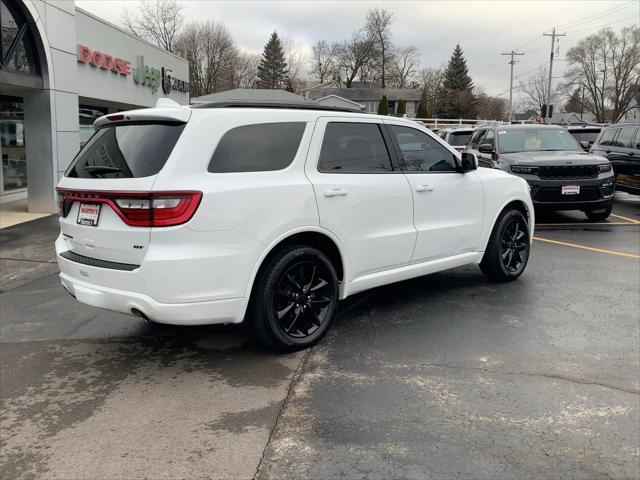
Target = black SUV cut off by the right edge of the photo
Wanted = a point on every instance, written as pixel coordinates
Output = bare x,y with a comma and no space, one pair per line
620,144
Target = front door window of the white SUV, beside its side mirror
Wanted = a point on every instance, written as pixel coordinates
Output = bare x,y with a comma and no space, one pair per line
421,153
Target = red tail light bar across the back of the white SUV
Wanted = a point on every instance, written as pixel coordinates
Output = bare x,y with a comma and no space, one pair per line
138,209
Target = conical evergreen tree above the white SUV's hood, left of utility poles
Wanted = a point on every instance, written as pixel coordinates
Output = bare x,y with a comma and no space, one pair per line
460,101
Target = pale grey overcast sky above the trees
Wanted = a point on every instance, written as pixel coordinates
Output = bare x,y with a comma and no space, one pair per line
484,29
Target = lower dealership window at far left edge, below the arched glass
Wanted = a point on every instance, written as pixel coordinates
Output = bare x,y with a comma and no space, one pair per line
12,141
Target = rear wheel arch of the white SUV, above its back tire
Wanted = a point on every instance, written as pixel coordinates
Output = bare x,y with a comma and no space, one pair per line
317,237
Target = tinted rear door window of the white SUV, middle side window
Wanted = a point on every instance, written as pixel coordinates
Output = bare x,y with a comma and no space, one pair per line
353,148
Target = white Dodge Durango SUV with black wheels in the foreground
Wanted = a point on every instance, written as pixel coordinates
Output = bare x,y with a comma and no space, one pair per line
220,212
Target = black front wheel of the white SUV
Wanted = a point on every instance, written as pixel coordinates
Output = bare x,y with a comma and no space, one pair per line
507,252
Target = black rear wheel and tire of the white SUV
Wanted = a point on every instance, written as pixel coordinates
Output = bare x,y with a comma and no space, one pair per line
294,299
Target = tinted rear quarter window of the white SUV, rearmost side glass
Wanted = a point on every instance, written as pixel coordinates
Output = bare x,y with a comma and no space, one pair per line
257,148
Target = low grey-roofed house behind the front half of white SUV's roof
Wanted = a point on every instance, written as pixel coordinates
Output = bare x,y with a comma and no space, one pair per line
369,98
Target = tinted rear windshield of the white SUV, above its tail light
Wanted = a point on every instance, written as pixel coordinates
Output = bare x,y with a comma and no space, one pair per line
126,151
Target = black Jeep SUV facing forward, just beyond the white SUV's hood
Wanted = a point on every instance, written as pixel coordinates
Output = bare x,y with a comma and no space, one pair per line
561,175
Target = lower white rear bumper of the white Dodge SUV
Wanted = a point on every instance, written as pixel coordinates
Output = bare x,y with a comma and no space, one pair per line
196,313
